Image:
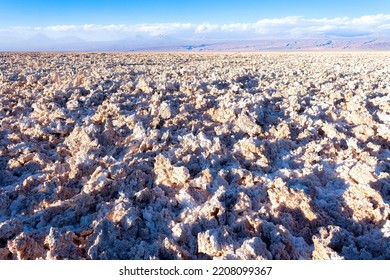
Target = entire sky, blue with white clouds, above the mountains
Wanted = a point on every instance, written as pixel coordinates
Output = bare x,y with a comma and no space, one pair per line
112,20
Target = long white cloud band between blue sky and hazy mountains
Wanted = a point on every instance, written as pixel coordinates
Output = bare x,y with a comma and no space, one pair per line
270,27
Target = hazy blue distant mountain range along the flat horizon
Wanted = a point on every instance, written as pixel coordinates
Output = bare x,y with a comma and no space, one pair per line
41,42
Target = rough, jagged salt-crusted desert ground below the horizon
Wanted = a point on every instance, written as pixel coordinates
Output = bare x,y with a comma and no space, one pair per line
195,156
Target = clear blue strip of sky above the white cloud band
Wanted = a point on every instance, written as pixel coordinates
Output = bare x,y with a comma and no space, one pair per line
42,13
